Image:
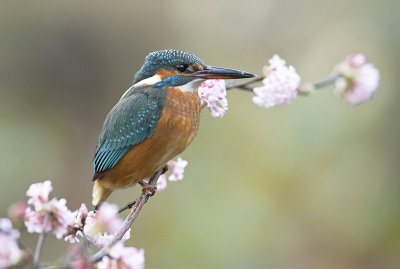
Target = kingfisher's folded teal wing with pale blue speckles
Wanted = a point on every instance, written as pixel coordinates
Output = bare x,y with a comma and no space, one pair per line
130,121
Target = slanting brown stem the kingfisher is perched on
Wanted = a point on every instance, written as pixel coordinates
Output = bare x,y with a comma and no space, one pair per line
129,219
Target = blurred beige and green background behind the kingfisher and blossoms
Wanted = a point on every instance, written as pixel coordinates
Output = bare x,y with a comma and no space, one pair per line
310,185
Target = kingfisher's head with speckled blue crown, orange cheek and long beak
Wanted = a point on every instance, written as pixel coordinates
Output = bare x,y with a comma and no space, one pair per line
180,69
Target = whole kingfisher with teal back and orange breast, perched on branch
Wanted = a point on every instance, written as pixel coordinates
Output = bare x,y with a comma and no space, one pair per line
154,120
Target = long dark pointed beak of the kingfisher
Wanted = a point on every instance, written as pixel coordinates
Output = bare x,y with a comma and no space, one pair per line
212,72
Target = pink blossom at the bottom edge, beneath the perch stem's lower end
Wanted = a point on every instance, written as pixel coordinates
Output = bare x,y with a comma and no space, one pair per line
123,257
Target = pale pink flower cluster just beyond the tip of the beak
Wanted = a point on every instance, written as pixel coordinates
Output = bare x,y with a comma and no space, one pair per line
279,86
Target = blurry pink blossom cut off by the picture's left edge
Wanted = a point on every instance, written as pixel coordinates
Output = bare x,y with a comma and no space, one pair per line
10,253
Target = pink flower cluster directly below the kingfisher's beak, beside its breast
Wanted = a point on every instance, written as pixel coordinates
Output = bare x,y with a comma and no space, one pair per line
213,94
